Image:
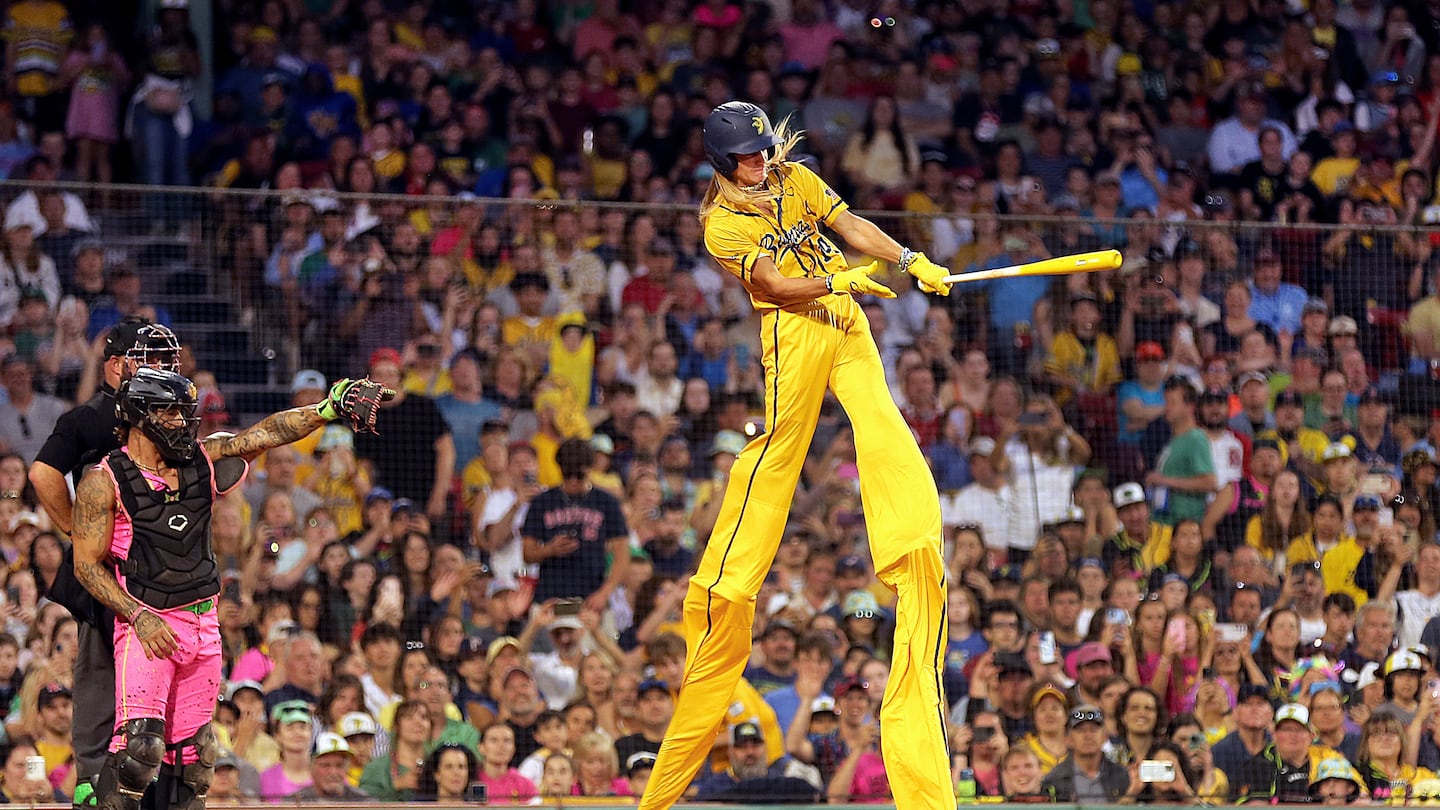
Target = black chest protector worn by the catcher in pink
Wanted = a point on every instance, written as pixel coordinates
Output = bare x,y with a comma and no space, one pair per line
171,560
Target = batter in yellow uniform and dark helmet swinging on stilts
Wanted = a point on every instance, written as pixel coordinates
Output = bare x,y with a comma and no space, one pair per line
762,218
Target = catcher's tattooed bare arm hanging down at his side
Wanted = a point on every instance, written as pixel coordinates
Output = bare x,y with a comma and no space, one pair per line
94,524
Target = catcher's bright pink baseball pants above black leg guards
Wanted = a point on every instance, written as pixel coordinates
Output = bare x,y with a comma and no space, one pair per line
181,690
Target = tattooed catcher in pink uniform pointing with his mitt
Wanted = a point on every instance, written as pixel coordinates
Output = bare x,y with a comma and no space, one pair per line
142,533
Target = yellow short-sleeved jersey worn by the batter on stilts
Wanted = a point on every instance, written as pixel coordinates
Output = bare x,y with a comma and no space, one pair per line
790,236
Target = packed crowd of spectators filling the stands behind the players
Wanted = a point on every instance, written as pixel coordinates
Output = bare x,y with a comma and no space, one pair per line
1190,507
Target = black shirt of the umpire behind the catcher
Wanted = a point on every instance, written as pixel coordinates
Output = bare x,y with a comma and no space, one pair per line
83,436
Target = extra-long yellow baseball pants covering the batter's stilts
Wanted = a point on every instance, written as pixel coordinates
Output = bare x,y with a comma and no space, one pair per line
806,350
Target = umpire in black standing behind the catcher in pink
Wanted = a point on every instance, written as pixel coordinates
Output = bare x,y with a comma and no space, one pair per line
81,439
